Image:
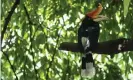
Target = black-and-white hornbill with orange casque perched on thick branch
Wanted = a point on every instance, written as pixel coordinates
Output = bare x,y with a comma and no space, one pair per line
88,35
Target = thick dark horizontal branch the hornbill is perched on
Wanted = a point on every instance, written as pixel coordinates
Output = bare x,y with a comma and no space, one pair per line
107,47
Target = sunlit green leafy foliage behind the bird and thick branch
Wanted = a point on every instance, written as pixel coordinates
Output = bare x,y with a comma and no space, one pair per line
30,44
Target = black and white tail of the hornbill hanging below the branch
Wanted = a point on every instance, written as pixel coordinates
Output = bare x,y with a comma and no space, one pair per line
88,69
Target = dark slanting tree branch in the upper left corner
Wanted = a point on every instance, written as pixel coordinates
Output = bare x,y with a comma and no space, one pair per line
8,18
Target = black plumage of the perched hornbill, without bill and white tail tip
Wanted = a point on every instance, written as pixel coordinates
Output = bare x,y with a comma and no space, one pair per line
89,30
